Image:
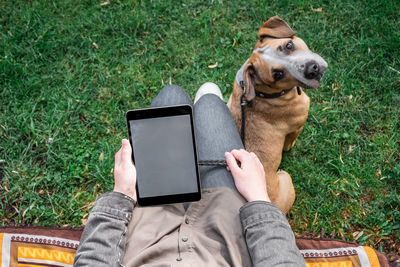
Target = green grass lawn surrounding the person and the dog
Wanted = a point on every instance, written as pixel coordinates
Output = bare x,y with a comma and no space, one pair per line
69,70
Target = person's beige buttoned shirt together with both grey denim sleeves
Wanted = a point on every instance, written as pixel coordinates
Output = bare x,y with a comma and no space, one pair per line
257,235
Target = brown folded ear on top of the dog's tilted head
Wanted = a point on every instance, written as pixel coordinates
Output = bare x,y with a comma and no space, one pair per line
275,27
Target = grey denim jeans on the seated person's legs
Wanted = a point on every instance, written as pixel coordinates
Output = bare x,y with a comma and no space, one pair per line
215,132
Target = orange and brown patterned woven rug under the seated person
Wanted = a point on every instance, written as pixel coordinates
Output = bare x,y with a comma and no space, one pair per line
35,246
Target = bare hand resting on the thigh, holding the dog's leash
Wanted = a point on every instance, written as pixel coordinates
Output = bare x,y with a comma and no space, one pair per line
250,176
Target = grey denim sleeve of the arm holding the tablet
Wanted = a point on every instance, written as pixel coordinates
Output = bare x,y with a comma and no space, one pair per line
104,238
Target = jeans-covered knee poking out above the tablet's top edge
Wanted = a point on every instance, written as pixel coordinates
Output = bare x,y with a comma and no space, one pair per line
171,95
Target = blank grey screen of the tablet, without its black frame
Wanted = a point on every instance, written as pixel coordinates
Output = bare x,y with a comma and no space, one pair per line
164,156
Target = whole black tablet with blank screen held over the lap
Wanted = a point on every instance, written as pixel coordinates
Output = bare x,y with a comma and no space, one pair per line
164,153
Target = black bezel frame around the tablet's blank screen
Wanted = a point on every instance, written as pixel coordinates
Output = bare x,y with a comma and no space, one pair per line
159,112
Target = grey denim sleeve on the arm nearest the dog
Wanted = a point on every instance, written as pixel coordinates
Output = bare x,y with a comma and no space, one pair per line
268,235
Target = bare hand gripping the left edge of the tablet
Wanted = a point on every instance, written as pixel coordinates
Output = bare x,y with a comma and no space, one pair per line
125,171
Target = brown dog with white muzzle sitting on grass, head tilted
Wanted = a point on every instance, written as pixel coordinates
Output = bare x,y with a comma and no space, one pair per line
276,107
